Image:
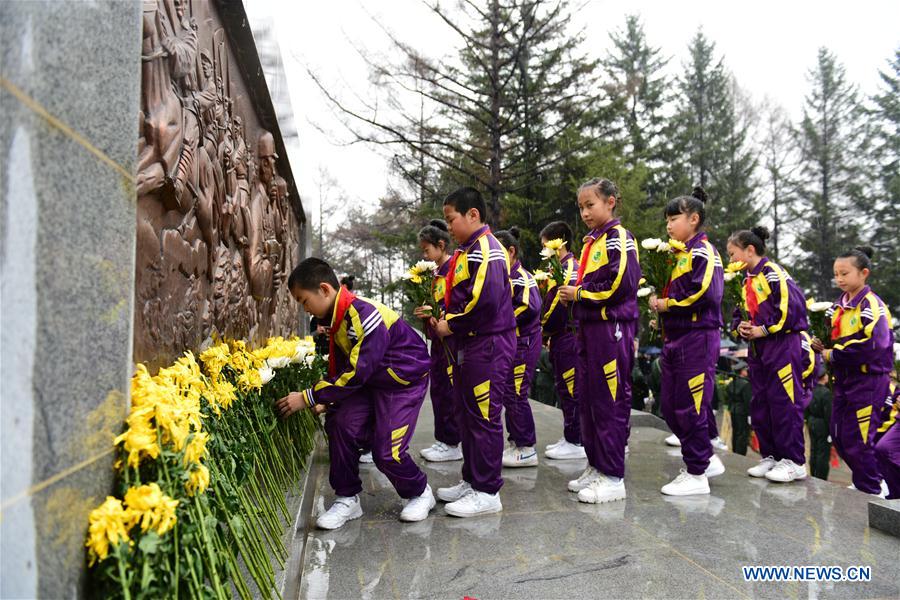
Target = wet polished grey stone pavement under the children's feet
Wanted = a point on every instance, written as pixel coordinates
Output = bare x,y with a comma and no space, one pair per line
545,544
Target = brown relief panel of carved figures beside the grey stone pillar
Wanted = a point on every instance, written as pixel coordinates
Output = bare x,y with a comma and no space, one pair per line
217,230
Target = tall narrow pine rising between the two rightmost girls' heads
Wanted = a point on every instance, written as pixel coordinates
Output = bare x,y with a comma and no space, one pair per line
832,179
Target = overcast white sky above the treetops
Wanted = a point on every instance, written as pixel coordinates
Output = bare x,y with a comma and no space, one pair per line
769,46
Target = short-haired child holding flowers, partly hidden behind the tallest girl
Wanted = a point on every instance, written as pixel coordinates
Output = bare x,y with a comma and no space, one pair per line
559,331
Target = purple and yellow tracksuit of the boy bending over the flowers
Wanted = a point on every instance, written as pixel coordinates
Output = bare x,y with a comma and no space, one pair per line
374,398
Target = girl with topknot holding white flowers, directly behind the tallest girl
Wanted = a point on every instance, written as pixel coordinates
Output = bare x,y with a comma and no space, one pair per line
690,310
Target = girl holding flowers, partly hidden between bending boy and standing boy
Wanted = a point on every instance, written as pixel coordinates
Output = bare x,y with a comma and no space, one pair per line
434,241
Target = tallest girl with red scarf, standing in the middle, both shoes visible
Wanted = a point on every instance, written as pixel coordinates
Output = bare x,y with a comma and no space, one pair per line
604,300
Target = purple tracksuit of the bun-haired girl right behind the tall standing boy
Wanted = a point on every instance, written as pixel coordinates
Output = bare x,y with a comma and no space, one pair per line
526,302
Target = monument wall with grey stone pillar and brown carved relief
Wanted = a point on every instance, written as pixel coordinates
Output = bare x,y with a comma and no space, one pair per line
147,204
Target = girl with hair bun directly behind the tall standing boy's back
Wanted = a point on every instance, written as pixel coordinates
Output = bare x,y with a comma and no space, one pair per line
526,301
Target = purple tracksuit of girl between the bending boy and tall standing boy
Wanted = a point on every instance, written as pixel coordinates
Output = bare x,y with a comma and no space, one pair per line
442,395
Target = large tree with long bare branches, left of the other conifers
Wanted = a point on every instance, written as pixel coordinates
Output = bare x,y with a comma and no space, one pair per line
516,84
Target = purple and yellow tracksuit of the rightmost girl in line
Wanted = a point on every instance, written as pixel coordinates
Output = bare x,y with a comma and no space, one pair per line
861,359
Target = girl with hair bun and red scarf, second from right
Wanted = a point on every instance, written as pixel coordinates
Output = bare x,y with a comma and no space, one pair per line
777,360
